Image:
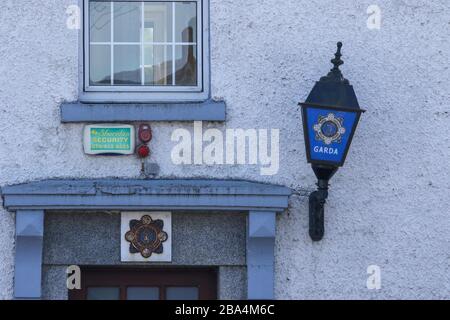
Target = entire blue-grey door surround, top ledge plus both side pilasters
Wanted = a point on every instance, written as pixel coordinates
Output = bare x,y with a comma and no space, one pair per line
30,201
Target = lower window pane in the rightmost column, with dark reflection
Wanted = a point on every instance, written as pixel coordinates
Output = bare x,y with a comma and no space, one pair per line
186,65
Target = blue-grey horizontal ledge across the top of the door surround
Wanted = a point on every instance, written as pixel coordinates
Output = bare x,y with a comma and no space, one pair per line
146,194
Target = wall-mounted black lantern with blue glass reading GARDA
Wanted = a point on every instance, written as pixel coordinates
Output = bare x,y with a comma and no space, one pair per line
330,115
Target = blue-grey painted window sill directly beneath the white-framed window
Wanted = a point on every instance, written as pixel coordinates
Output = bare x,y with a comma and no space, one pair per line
79,112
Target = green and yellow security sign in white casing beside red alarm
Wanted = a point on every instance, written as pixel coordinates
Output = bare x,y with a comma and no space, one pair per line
109,139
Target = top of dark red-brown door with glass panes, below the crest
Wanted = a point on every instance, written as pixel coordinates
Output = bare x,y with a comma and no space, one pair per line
146,284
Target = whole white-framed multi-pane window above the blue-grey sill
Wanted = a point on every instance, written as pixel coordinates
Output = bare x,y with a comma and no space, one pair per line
144,51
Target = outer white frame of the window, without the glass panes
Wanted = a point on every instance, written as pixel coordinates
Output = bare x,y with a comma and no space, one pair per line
123,94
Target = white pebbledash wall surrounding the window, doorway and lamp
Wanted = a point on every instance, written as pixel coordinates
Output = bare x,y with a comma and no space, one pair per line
389,206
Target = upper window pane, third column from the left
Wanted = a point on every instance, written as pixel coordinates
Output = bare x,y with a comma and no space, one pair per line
158,22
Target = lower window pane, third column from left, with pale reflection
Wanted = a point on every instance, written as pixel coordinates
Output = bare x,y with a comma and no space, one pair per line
158,65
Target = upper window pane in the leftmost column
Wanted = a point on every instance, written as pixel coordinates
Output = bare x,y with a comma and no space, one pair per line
100,21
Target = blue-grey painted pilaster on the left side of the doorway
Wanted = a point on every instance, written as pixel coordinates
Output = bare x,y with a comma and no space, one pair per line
28,259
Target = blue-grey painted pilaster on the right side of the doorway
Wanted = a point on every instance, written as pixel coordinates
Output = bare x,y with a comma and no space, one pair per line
260,255
